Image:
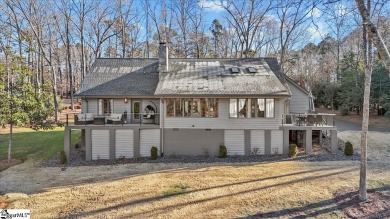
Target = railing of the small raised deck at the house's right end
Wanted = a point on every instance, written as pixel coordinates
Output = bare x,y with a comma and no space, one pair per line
308,119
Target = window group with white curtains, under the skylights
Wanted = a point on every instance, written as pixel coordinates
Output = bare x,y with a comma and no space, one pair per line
251,108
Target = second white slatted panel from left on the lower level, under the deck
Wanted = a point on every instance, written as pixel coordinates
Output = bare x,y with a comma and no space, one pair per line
124,144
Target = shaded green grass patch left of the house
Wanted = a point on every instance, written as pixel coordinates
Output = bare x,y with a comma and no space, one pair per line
28,144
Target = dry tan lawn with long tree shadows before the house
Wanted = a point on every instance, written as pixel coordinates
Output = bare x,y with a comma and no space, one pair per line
283,189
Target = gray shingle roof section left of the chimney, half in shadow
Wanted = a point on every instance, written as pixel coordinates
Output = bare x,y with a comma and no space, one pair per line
120,77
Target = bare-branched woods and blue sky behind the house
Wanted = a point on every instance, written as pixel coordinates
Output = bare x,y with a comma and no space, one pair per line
50,45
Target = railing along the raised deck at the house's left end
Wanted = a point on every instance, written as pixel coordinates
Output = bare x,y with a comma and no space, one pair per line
126,118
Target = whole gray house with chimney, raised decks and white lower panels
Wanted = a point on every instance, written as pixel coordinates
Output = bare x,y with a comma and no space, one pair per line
191,107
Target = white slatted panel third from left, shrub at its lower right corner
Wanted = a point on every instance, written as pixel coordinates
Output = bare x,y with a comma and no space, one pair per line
148,139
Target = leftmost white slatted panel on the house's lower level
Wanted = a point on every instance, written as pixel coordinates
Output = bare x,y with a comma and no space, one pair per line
100,144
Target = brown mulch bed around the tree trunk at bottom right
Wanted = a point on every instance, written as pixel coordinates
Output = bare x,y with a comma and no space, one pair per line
377,205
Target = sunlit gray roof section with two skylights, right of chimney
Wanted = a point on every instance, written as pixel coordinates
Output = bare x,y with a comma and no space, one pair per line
213,77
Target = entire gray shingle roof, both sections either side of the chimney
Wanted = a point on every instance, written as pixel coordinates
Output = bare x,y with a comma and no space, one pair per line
140,77
